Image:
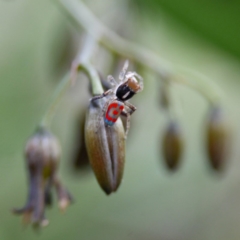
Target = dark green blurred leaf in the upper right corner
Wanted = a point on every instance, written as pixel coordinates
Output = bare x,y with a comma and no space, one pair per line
216,21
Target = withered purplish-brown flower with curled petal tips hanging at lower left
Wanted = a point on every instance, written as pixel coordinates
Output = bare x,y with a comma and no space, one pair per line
42,158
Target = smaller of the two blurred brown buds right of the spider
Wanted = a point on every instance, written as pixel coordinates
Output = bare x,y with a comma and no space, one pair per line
172,146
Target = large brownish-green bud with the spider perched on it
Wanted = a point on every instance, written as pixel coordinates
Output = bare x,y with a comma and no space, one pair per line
105,147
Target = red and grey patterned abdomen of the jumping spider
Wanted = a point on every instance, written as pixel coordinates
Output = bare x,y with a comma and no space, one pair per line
113,112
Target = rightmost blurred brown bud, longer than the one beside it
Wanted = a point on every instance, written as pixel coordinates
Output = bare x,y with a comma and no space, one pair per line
217,138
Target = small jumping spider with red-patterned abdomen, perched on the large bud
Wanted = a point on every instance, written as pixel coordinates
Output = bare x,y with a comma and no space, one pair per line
129,84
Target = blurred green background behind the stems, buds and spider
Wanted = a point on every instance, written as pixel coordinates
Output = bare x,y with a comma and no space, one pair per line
37,44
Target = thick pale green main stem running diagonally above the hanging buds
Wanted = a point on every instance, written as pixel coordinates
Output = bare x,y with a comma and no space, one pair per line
83,17
